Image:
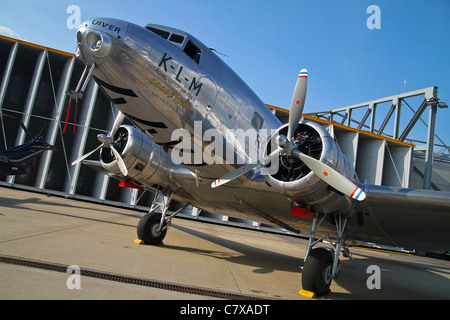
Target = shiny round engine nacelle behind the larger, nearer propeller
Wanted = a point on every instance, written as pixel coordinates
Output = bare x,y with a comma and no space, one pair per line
296,181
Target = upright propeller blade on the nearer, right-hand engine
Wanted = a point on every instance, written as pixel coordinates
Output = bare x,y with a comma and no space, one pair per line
298,102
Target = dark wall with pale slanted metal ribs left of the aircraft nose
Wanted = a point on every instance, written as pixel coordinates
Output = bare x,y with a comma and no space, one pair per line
33,90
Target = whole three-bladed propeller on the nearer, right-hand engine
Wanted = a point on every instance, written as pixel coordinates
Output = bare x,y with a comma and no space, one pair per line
287,146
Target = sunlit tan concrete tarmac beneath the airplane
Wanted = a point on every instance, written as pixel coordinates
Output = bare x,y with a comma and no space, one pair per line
100,237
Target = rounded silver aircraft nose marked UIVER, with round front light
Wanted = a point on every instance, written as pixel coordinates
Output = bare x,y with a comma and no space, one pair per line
96,36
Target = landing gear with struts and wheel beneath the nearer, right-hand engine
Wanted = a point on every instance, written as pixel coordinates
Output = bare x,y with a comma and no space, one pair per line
322,265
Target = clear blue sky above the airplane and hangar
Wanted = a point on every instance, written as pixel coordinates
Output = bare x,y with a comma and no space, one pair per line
268,42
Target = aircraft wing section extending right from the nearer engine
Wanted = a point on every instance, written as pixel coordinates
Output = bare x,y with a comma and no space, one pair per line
409,218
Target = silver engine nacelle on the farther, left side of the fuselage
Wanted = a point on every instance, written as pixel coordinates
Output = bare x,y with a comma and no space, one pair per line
144,159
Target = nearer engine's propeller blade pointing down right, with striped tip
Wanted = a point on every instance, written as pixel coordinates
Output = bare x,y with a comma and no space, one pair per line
331,176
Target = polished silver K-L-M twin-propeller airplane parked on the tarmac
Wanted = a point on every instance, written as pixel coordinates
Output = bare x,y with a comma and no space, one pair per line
201,136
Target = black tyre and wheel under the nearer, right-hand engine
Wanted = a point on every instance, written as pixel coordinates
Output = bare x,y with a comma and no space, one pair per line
316,276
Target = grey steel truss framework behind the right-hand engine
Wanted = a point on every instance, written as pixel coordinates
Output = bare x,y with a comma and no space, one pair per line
433,149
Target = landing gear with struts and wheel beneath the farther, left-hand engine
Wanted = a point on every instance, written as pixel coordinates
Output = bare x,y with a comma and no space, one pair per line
153,226
